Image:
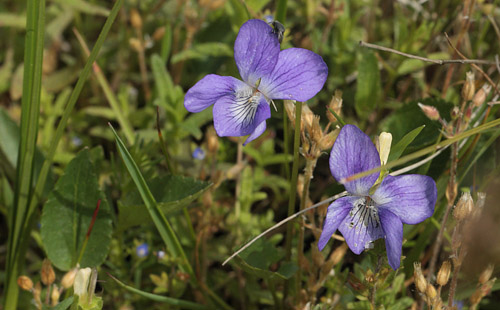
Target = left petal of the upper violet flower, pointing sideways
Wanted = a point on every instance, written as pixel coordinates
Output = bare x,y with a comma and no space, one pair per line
208,90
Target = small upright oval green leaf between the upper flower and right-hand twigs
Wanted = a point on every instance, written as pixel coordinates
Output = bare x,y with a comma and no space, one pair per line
368,84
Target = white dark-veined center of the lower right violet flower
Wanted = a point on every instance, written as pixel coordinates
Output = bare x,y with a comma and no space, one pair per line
364,213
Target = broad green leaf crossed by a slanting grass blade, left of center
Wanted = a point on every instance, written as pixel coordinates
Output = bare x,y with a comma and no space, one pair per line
172,193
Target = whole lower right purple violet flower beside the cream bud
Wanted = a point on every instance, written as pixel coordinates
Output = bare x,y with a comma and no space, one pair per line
362,217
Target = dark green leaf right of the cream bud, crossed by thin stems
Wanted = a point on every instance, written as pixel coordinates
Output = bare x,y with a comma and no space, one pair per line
409,116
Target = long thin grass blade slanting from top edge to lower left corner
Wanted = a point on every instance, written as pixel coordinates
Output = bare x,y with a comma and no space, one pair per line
14,247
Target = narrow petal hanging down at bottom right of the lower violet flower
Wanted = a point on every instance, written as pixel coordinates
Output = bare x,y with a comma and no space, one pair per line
393,229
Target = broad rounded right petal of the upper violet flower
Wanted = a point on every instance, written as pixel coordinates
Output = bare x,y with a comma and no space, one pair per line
299,75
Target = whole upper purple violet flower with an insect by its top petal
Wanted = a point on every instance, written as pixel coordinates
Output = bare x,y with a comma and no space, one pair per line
242,107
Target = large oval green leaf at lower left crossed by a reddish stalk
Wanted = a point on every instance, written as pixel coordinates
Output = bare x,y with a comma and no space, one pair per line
67,215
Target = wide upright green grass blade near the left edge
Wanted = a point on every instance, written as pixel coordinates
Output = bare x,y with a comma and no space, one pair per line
32,83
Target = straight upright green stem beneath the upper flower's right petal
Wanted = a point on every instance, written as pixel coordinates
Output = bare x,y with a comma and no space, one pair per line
293,185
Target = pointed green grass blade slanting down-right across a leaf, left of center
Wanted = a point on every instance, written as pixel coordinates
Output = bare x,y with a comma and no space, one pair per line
161,223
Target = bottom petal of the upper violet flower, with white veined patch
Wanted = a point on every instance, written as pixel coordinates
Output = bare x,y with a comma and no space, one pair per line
237,118
